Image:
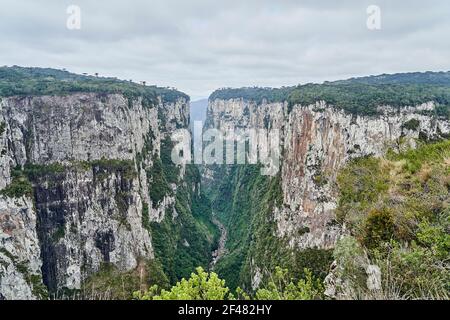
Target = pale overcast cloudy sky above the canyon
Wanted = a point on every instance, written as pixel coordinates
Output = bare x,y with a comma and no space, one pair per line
200,45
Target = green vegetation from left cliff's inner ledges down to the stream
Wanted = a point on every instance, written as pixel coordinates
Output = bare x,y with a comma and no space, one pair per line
186,236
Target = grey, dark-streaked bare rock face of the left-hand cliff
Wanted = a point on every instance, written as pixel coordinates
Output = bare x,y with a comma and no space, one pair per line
76,186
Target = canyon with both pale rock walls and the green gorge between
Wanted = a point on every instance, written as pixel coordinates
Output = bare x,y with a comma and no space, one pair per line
87,184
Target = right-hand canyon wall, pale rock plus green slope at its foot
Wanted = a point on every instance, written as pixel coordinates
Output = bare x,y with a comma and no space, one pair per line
295,224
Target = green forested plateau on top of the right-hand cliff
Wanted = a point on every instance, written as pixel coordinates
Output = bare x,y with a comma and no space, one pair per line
358,96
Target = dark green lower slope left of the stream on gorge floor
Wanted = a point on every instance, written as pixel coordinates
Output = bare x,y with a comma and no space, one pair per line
184,239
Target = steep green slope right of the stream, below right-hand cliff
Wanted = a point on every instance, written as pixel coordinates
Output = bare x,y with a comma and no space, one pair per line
244,195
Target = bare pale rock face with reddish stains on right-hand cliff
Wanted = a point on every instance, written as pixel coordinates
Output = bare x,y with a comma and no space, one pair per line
316,141
